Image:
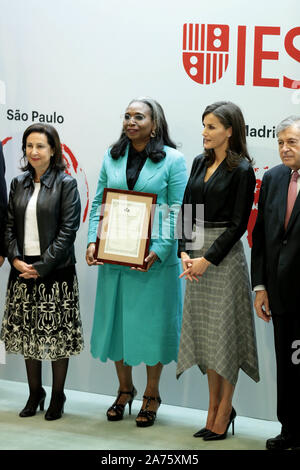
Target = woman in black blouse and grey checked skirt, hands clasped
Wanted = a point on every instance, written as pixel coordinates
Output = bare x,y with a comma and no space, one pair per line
218,325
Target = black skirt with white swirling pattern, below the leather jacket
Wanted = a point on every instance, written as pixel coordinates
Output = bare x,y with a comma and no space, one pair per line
42,318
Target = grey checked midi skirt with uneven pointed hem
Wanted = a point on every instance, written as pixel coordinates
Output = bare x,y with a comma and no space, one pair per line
218,330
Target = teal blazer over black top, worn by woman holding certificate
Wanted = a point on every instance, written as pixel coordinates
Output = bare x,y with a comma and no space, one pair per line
167,179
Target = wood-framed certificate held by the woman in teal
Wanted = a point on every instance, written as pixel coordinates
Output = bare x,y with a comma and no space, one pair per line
125,226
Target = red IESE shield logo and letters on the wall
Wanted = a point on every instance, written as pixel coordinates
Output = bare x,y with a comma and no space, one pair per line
206,53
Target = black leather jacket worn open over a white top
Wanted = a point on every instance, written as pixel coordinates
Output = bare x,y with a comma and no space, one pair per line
58,218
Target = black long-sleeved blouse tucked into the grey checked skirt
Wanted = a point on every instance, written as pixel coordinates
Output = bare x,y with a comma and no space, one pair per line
227,196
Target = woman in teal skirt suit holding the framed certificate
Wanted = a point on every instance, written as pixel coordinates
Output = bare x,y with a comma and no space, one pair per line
138,313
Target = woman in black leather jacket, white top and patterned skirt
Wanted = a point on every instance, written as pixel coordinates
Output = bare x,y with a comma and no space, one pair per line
42,319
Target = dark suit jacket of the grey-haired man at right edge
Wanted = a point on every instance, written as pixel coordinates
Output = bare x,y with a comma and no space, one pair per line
275,258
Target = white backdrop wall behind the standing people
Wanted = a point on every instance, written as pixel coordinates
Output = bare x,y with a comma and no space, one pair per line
81,61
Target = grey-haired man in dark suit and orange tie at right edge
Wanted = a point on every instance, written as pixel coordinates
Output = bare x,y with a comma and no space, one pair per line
275,270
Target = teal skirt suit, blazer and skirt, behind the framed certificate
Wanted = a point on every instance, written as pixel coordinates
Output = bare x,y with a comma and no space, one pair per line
138,314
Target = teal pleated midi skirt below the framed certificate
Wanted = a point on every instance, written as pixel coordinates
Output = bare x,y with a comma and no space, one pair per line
137,315
